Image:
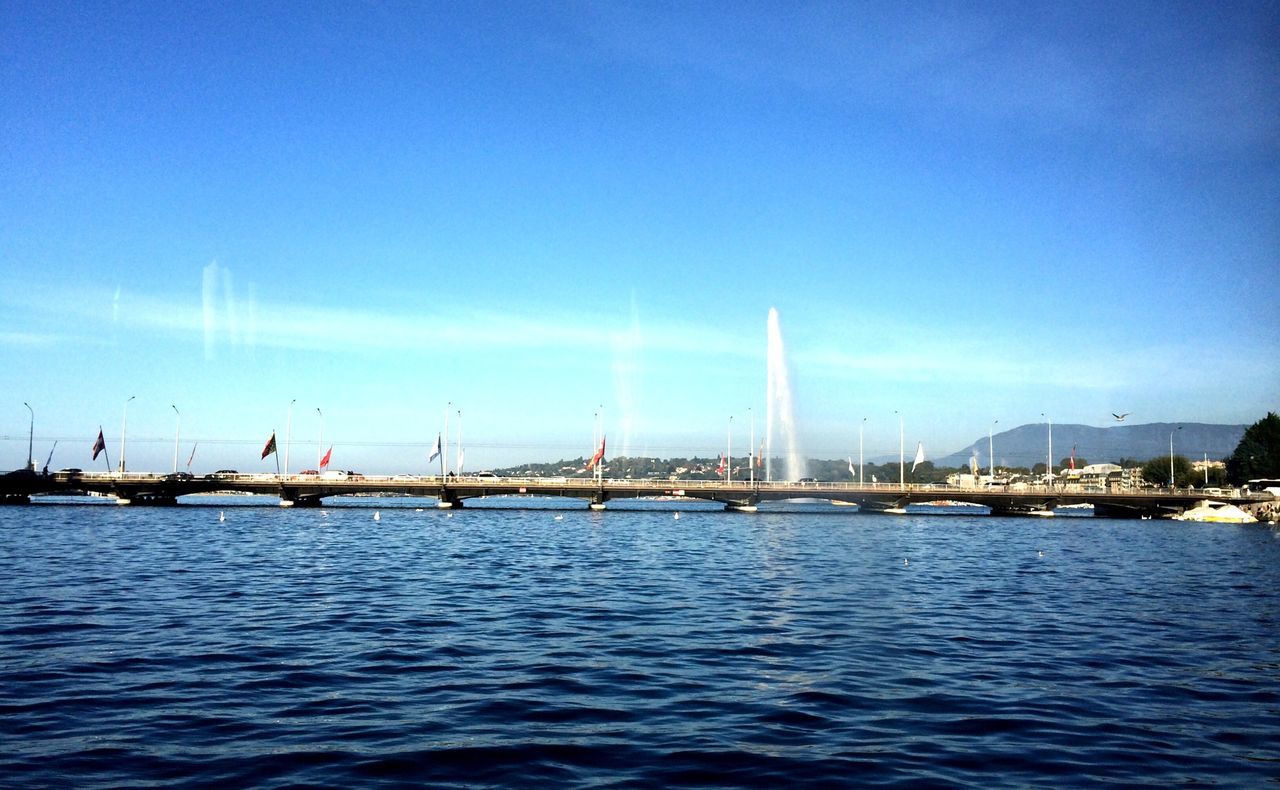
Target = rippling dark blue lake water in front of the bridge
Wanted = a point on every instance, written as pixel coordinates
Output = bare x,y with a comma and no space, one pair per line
161,647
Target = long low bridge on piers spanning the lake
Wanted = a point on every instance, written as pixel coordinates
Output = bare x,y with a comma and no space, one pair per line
310,491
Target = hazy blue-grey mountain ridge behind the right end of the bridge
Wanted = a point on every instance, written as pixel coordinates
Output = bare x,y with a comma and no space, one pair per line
1028,445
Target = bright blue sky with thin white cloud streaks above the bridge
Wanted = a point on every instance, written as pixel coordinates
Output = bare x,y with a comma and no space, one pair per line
962,212
